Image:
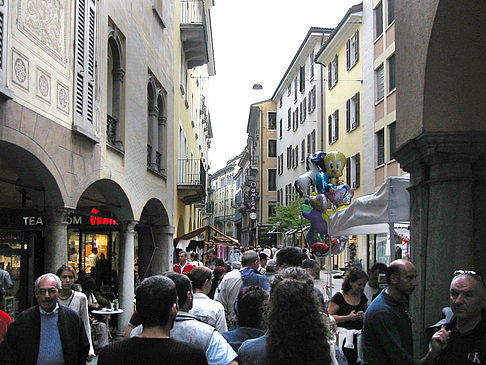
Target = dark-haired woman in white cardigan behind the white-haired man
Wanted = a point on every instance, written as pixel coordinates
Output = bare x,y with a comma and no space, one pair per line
75,300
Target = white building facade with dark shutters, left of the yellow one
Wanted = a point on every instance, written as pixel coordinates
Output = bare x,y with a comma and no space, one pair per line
300,102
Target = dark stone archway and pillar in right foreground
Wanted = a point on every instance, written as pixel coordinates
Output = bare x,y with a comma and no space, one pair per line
441,130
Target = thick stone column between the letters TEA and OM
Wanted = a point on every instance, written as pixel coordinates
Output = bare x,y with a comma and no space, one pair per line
55,243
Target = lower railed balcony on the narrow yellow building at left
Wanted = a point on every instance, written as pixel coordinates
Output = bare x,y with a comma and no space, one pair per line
191,181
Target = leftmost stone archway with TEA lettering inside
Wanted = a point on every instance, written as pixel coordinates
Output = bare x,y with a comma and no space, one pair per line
32,202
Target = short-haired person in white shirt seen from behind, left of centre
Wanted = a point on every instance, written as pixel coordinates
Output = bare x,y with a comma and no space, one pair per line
206,309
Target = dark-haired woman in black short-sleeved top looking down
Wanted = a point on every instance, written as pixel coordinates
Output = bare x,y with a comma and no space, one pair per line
348,307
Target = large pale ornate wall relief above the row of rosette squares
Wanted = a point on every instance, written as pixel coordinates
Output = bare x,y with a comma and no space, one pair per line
44,22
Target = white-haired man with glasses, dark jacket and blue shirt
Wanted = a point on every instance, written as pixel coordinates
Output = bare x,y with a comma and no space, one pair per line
46,334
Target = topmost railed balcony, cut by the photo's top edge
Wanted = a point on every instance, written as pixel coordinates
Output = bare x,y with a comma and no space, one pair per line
194,32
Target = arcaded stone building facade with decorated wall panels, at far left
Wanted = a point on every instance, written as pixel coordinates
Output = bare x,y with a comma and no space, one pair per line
87,140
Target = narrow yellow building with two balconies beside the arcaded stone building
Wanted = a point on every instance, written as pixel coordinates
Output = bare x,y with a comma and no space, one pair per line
193,65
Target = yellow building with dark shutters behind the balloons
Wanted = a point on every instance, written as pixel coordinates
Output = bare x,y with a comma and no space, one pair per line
341,55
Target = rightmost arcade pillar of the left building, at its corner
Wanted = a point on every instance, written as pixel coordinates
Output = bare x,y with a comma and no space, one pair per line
163,250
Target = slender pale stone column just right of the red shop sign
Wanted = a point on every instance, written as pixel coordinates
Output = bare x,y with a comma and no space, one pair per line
125,277
